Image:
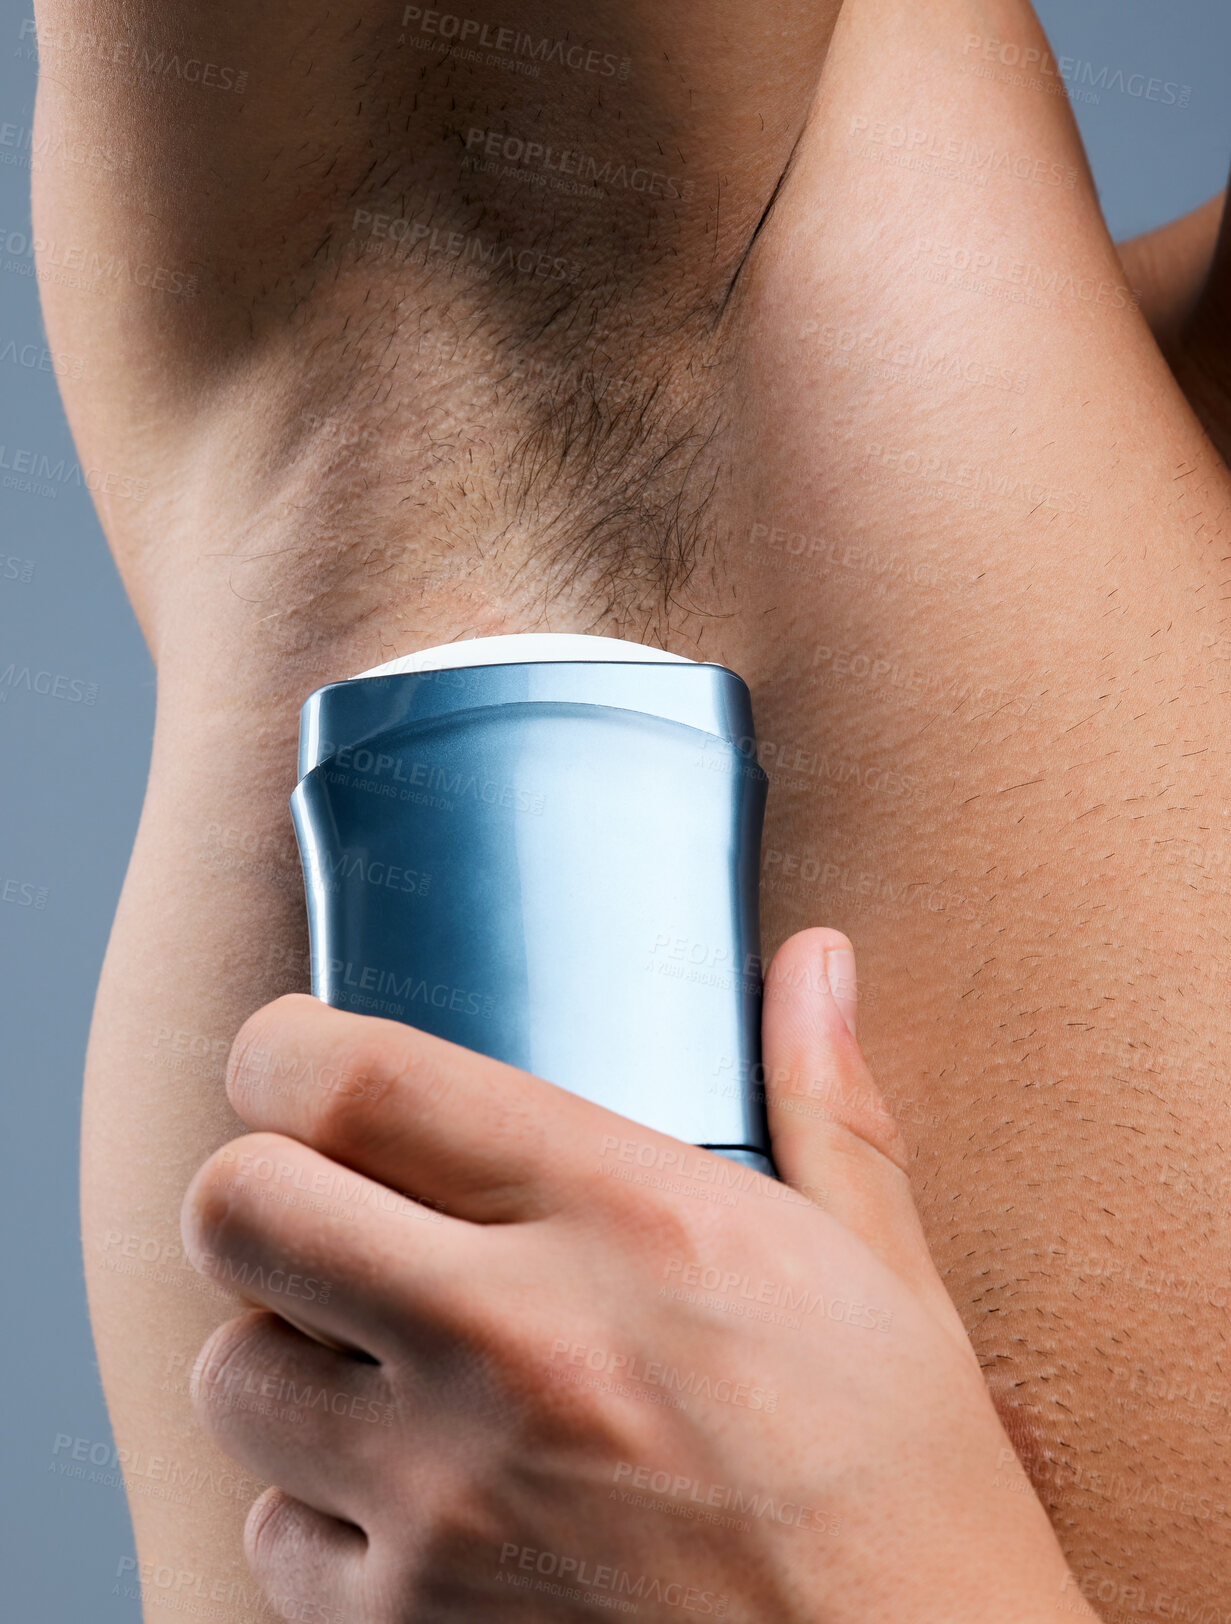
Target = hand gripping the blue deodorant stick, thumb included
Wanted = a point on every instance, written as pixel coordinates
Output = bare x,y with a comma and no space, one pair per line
530,1360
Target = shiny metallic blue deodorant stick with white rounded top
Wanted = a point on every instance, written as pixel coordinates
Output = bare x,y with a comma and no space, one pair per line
548,850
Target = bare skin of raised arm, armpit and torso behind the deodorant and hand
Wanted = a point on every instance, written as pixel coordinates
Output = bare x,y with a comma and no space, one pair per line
974,581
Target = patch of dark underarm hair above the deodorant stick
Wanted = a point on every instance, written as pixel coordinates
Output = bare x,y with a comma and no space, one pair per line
566,368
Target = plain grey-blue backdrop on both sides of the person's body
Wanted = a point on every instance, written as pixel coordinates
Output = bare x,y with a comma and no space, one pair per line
74,775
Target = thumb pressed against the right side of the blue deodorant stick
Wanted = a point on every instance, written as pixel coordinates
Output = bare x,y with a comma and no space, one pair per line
834,1138
